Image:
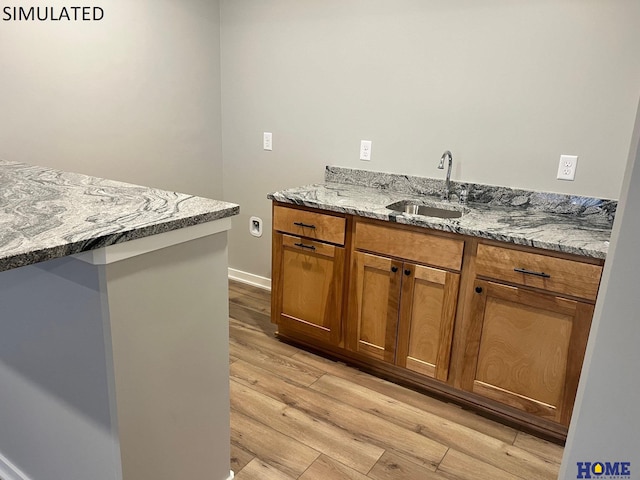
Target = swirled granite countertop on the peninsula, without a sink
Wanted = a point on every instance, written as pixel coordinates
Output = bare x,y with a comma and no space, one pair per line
47,213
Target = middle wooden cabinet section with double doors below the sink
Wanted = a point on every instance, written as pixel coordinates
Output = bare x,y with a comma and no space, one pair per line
402,312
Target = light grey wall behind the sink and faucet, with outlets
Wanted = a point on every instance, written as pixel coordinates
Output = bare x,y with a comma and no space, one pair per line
506,86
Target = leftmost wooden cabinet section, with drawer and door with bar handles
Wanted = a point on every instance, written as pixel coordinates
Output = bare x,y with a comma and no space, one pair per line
308,273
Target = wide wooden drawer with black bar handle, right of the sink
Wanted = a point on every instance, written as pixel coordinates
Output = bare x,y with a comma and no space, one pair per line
559,275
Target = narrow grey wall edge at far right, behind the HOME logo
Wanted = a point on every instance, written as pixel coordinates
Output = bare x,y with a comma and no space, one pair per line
606,425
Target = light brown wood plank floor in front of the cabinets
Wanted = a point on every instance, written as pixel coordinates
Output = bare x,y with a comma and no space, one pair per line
295,415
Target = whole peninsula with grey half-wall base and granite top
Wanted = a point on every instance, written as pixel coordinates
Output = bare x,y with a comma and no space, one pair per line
113,329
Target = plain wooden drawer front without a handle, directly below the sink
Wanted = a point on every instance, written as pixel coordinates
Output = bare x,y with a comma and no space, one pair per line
410,245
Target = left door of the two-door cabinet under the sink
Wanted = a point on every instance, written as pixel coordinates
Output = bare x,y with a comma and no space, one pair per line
373,309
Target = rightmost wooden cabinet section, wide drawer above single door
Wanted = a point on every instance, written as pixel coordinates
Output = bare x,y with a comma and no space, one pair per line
529,320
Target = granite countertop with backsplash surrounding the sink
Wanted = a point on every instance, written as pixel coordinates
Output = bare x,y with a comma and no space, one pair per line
563,223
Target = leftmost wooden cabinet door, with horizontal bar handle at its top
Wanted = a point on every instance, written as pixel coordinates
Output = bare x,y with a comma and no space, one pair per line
308,284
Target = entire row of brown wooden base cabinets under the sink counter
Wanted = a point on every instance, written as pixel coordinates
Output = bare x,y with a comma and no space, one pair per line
495,326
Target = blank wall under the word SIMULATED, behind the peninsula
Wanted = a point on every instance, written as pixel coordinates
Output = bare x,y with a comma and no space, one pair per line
134,97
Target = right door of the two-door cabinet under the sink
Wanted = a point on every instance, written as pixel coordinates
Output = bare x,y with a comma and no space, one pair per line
427,312
